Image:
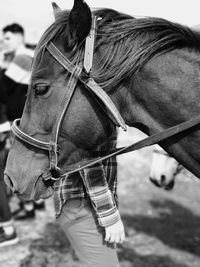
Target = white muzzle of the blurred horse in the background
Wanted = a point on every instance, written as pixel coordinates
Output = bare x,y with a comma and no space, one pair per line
163,169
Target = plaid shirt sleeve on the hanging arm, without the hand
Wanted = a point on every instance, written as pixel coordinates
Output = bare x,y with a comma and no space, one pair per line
102,200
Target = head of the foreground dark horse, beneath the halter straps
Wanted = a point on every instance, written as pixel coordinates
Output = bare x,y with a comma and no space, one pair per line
48,91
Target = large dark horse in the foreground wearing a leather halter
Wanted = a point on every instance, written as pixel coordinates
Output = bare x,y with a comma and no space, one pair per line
147,67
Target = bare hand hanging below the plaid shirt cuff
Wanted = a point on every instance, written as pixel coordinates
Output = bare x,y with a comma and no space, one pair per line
115,233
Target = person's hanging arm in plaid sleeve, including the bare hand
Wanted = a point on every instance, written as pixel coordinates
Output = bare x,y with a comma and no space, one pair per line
103,203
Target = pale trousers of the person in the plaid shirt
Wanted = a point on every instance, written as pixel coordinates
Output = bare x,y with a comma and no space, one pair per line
85,235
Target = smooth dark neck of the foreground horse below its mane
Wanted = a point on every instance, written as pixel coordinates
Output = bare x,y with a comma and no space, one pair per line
148,103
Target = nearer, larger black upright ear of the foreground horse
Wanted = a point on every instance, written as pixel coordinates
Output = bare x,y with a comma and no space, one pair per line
80,19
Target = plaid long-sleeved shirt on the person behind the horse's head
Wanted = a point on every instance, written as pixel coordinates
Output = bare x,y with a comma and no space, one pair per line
98,183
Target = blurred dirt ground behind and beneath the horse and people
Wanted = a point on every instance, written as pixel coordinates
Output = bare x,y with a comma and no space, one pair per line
162,227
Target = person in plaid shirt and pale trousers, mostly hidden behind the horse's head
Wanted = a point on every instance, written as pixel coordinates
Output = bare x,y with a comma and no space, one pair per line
86,207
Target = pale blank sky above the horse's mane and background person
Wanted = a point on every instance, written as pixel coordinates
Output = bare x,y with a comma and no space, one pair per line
37,15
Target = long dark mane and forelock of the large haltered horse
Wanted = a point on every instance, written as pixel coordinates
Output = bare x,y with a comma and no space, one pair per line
129,42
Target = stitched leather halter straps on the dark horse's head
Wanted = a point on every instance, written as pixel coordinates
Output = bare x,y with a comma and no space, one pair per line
77,73
